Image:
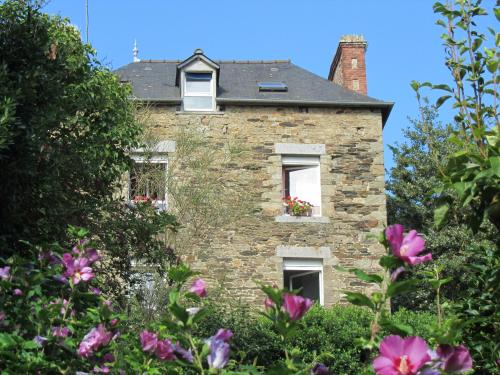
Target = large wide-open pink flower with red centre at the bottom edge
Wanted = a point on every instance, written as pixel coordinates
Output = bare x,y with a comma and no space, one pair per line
400,356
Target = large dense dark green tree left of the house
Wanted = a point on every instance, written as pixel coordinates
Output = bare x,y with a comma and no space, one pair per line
66,124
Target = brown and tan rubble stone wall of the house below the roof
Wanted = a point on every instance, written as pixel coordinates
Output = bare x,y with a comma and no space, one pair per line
352,185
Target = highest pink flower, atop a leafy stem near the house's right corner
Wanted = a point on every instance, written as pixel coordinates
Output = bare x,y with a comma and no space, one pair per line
406,247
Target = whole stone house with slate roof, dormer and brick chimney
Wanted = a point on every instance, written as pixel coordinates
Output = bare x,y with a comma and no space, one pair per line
308,137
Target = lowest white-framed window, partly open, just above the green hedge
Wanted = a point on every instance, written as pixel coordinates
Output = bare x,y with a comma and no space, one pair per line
306,275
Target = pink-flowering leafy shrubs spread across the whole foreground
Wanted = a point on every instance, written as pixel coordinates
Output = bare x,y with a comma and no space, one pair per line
53,317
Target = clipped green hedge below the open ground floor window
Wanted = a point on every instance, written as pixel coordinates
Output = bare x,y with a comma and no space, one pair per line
332,331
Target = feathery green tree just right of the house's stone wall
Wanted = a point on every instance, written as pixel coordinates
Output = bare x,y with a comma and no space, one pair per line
411,201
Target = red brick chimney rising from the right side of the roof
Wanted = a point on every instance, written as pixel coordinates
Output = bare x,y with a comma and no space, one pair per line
348,67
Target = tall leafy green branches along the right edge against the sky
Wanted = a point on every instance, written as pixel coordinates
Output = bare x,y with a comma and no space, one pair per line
471,175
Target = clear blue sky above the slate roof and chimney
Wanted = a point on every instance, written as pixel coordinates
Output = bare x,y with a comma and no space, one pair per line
403,40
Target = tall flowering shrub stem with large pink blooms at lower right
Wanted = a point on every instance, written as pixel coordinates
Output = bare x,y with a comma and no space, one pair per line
411,355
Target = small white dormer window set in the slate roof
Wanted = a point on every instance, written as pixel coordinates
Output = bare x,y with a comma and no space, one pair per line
198,91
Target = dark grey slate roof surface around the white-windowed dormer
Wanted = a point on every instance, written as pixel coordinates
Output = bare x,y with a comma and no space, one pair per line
154,80
